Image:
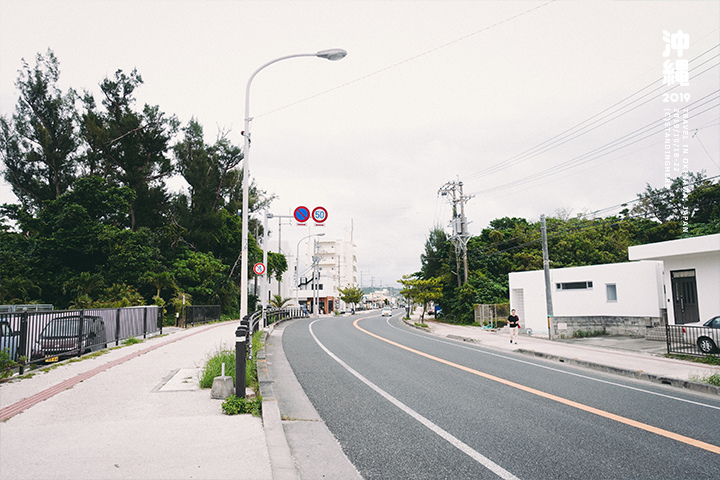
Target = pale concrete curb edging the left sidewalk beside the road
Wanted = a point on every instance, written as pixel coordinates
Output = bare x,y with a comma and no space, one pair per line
282,465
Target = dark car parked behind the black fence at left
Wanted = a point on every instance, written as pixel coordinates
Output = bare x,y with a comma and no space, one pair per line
61,337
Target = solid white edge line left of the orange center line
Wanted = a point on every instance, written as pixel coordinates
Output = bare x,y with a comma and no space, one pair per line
457,443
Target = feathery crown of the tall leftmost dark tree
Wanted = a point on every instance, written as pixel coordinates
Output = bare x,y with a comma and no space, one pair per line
39,146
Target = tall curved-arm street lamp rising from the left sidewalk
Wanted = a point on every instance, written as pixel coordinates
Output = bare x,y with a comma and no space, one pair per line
332,54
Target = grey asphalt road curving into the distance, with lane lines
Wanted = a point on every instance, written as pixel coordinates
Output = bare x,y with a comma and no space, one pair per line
406,405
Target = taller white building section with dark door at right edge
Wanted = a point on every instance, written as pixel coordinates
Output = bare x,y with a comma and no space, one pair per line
691,276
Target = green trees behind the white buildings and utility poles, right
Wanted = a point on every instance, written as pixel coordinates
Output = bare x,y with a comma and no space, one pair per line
689,206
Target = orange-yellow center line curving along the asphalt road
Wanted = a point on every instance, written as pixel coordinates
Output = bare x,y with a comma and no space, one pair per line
627,421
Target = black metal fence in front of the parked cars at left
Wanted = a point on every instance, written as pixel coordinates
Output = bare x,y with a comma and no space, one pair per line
43,337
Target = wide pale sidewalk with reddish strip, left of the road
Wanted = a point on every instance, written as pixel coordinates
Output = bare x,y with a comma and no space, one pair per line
136,412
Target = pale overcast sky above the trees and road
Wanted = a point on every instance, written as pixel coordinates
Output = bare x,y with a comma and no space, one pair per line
430,92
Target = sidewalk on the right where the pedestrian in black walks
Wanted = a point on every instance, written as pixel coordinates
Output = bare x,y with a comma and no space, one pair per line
633,357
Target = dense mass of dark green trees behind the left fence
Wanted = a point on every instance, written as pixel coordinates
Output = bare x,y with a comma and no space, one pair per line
95,224
